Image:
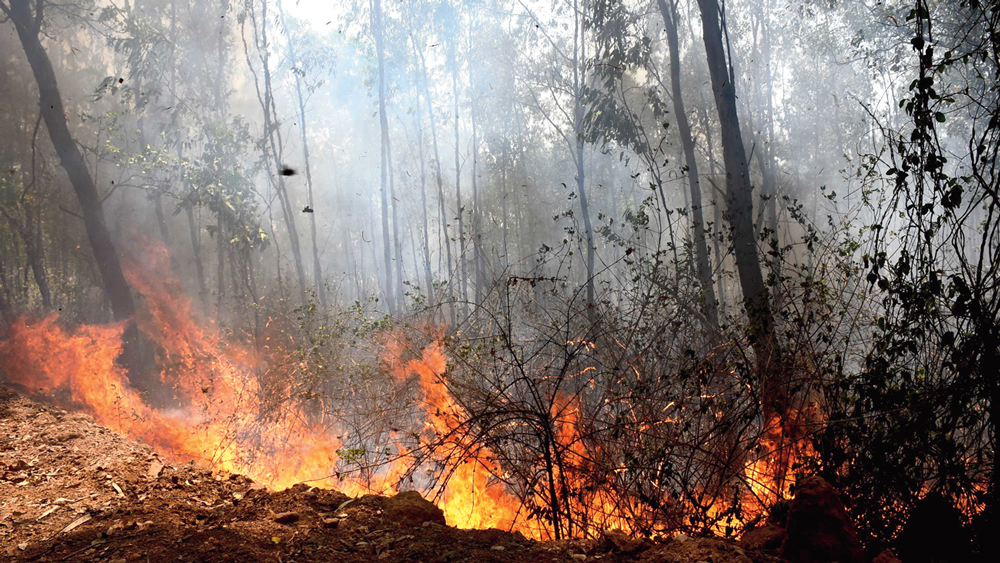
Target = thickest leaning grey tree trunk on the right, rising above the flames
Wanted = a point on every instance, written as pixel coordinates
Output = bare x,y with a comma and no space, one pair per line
739,194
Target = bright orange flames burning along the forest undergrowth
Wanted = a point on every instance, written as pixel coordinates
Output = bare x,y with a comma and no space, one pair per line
218,420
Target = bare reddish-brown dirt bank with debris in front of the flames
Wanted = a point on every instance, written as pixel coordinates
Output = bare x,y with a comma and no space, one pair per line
71,490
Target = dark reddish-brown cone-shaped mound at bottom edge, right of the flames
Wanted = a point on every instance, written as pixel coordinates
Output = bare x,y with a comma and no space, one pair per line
818,529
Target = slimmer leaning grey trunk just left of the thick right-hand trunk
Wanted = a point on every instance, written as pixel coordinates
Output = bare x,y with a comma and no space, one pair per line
668,8
